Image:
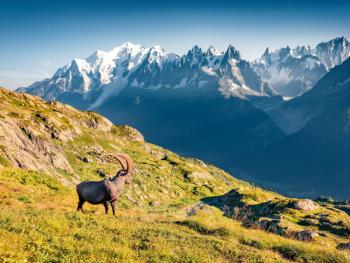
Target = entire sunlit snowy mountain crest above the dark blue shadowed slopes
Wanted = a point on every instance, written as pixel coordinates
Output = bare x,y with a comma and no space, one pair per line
286,72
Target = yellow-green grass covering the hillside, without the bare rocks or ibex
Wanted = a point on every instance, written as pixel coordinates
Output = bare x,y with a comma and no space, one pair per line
38,221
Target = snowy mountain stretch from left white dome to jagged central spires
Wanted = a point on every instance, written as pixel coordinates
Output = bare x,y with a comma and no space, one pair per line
104,74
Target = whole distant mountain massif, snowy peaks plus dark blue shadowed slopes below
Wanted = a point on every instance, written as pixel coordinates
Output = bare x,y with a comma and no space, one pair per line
282,120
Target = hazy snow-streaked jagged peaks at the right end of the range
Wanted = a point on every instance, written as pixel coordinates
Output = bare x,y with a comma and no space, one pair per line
291,72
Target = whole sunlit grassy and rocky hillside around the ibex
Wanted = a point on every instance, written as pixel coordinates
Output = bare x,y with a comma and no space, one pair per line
176,209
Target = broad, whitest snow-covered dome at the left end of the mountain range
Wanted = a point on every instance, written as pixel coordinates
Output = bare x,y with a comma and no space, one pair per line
98,72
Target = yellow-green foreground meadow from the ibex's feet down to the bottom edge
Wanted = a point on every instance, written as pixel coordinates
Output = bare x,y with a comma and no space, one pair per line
38,223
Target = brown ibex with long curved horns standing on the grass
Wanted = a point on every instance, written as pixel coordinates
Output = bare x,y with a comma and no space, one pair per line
108,190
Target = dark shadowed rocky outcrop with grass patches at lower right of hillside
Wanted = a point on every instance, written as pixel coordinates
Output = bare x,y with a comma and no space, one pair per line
279,215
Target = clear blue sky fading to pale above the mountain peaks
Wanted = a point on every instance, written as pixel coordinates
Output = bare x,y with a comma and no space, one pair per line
37,37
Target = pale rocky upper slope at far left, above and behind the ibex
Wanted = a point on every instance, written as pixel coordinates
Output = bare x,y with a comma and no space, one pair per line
32,132
